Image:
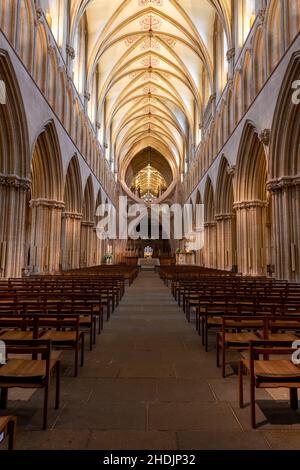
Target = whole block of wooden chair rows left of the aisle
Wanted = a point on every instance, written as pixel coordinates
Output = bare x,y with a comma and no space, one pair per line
41,314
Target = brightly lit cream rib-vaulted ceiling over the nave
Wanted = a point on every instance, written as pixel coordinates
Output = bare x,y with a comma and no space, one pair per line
153,62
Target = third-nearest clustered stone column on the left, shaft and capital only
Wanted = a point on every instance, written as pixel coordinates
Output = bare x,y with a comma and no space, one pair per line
71,240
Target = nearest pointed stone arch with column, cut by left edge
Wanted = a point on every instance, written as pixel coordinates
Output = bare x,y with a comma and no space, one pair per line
14,173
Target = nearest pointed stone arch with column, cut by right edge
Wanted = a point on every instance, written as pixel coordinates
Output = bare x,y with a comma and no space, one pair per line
284,184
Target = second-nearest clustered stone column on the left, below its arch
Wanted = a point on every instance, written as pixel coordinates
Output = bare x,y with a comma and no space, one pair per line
45,235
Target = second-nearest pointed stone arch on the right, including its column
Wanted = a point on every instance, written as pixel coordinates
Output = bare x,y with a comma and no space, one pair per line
251,202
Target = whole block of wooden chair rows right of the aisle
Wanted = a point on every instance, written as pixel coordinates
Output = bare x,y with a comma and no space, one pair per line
258,317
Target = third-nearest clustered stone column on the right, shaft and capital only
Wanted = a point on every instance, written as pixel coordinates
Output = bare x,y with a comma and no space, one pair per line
226,241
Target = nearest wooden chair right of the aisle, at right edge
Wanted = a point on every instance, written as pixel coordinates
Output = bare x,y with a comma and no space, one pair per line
269,373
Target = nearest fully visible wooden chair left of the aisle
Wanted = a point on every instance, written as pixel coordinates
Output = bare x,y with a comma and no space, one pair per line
29,373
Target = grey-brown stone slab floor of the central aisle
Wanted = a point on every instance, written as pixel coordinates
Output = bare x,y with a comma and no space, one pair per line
148,385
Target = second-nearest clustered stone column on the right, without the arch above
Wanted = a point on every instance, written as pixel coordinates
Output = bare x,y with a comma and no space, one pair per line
251,237
